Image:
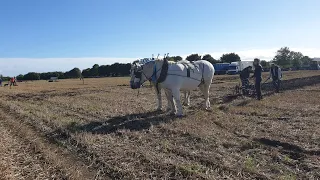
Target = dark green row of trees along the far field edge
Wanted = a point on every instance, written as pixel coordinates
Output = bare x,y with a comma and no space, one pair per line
284,57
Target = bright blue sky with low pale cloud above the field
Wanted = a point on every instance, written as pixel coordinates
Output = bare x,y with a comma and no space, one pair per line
62,34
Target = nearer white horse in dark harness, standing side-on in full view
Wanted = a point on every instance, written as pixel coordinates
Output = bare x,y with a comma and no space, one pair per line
178,78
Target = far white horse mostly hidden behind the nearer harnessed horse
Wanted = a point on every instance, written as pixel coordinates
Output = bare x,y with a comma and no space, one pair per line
135,72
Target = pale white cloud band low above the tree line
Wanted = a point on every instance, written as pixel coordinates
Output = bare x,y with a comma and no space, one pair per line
15,66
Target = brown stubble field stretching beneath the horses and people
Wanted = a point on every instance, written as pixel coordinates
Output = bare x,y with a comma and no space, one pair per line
103,130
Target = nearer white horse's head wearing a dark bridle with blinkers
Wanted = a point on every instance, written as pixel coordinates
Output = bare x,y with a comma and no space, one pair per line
141,71
